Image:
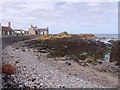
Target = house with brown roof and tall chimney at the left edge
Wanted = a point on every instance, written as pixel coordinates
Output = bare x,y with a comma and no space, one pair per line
6,30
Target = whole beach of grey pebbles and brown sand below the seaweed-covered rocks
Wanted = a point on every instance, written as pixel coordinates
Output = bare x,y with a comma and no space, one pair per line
35,69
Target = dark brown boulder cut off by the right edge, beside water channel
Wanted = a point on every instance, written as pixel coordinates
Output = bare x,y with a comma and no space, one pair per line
115,52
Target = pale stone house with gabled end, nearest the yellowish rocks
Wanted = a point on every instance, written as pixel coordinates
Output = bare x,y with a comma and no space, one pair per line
37,31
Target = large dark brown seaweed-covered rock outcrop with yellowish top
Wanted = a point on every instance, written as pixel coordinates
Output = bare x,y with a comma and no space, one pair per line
69,45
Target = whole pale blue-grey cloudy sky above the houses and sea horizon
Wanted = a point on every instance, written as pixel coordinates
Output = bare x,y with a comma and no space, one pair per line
73,17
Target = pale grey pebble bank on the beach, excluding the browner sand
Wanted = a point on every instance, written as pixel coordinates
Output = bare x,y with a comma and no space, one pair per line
37,73
